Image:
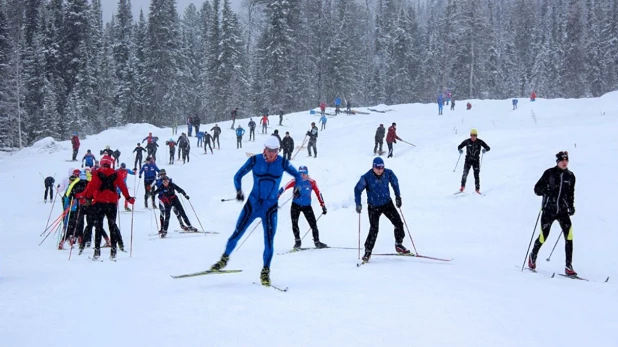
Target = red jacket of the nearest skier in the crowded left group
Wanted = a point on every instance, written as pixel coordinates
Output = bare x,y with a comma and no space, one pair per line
102,187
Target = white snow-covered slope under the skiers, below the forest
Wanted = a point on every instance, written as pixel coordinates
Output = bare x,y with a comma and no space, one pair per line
479,299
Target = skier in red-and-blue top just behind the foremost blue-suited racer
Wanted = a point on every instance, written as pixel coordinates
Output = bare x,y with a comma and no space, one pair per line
302,203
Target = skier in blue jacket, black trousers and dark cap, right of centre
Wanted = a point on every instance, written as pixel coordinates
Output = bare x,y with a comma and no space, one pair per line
376,181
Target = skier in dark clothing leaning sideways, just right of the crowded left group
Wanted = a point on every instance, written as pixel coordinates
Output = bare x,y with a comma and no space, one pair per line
168,200
